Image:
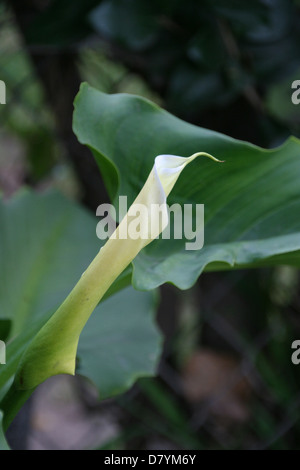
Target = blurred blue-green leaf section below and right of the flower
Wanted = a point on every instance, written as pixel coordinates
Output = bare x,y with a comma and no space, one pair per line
120,342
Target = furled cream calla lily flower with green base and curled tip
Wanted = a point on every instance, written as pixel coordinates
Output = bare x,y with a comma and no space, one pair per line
53,350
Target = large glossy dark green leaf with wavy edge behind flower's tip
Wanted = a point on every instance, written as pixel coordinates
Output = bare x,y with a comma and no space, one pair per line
251,202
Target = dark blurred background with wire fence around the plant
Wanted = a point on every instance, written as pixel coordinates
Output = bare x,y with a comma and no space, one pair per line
225,380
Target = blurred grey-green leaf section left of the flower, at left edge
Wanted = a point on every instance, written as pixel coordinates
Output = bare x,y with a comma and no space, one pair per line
46,242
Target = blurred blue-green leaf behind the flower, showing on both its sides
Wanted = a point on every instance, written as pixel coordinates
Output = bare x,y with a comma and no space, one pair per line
46,243
